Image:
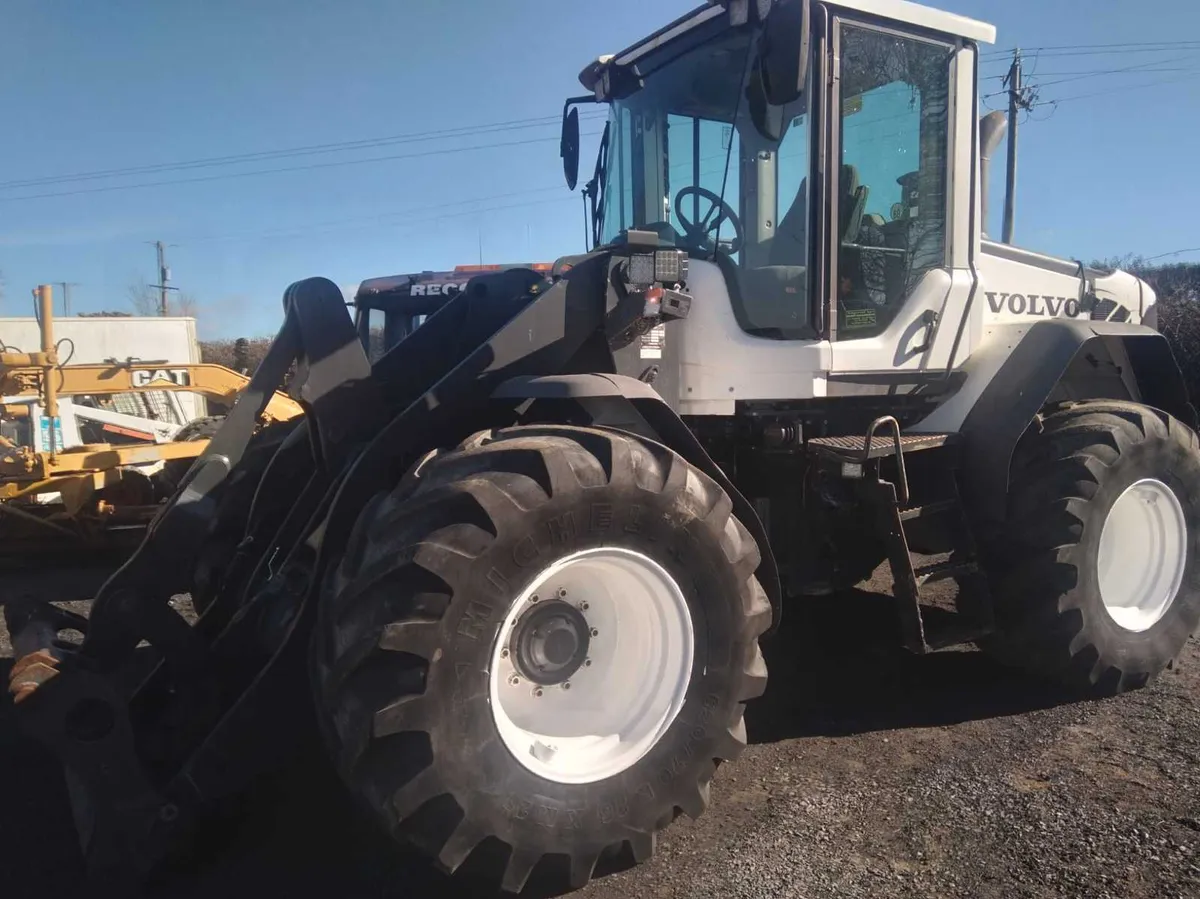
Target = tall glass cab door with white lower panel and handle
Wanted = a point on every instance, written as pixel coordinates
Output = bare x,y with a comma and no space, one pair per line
899,219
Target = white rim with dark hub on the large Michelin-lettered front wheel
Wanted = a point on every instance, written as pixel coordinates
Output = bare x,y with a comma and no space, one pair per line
619,704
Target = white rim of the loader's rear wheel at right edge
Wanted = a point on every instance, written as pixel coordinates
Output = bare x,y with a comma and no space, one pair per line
1144,552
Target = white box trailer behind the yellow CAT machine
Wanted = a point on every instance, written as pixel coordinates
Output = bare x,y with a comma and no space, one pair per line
98,340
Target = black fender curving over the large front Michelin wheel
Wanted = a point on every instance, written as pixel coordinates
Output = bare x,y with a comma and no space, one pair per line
631,405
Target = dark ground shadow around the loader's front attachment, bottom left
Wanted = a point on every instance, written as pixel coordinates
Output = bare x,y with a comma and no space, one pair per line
296,835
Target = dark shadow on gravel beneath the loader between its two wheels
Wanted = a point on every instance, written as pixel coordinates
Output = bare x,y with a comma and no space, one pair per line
837,668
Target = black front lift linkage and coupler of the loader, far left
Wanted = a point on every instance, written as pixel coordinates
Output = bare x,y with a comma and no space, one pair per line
137,712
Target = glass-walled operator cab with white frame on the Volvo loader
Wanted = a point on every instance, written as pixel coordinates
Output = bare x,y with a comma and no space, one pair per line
826,217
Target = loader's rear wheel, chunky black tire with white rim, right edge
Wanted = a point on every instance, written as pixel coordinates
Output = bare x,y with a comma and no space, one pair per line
1096,579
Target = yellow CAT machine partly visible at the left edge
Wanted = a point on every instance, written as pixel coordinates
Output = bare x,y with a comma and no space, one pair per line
61,494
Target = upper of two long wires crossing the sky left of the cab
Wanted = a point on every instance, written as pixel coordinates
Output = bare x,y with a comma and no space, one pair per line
286,153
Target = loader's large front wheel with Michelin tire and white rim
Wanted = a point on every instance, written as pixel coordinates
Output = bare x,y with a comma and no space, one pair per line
416,654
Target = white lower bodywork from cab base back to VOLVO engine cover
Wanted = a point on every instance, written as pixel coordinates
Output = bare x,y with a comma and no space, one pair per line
709,363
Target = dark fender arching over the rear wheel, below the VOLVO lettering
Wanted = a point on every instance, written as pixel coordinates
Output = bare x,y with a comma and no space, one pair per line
1024,383
